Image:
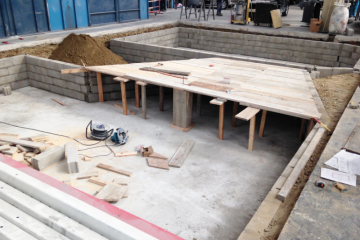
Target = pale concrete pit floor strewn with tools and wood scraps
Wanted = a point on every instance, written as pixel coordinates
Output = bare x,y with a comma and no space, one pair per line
212,196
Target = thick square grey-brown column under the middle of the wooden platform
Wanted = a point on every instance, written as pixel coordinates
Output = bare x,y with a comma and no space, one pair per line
182,110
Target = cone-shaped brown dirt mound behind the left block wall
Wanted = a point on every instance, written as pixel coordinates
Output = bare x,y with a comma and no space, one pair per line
79,49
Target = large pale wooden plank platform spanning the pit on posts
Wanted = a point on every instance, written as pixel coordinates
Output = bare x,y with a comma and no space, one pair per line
263,86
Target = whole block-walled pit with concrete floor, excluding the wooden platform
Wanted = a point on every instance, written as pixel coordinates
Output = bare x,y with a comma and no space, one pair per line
222,188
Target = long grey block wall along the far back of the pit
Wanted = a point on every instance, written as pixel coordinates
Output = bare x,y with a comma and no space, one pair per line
327,54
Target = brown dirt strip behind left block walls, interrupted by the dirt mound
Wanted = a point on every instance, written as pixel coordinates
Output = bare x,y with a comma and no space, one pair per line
46,50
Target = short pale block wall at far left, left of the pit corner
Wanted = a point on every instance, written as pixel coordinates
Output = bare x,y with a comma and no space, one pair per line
13,72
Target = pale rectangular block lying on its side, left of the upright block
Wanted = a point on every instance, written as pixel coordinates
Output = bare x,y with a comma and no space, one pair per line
47,158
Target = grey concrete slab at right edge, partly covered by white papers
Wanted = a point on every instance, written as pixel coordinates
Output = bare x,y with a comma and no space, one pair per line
326,212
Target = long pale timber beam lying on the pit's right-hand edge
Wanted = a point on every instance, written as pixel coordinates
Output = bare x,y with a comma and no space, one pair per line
285,190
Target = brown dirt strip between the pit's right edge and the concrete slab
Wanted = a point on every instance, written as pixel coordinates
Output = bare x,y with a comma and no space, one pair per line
335,93
